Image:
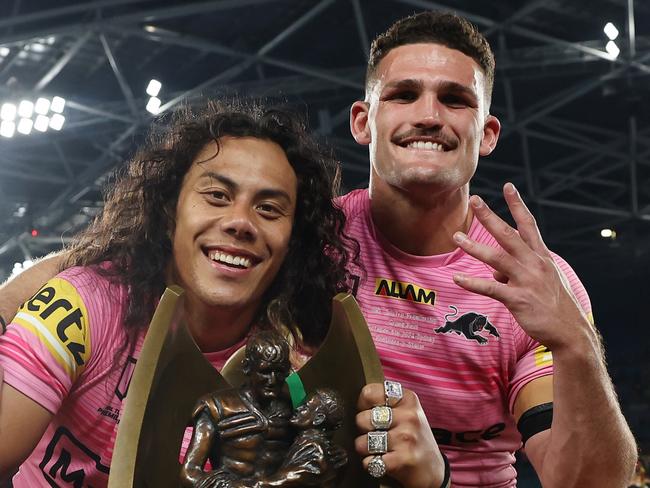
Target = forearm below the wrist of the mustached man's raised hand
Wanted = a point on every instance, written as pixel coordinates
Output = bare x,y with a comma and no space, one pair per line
590,443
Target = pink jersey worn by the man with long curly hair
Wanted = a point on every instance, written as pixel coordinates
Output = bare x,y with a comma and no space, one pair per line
60,351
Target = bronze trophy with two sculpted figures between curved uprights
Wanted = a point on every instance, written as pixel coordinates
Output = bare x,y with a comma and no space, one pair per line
173,385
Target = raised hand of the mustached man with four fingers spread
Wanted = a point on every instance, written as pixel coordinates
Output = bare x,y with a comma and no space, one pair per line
526,279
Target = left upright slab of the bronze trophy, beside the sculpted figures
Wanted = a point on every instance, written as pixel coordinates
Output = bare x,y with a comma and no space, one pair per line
170,375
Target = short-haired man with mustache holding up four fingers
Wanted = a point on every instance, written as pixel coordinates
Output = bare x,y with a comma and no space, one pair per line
491,330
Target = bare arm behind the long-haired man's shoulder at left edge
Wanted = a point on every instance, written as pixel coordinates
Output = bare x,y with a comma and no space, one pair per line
16,291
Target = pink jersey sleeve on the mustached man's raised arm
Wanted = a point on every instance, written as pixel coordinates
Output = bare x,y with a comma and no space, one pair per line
534,359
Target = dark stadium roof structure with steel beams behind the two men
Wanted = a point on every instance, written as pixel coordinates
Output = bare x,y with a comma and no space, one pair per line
576,131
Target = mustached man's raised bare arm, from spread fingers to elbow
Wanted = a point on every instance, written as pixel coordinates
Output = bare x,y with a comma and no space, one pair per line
589,442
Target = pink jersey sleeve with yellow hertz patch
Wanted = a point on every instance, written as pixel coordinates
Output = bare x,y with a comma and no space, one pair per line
47,346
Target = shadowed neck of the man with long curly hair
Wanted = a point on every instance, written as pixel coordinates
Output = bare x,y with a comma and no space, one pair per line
216,328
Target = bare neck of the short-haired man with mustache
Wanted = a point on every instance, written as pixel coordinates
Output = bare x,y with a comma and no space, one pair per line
422,221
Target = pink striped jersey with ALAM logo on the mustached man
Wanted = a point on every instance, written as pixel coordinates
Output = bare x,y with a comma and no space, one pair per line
462,353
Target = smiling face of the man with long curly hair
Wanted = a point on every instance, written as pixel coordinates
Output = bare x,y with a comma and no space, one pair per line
233,223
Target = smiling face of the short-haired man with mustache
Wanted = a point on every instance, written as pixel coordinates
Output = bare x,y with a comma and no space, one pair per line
425,118
